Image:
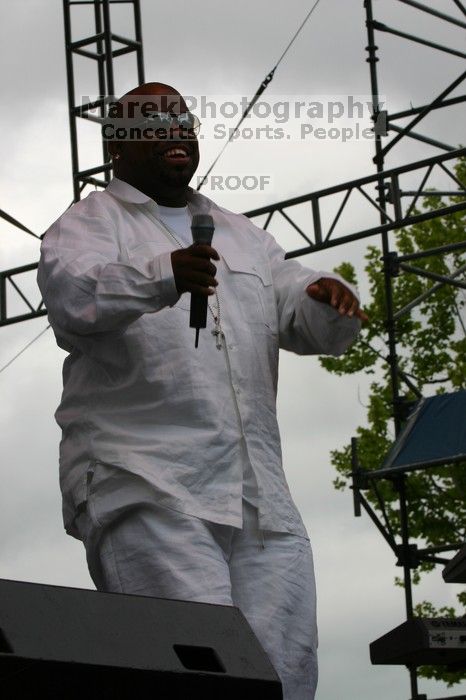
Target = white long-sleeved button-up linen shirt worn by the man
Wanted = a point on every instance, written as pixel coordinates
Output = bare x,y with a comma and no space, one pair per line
137,394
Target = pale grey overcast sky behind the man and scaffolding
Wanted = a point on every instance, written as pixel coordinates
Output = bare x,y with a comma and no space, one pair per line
222,49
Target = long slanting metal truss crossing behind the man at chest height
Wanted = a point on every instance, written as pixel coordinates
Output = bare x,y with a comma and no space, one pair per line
19,304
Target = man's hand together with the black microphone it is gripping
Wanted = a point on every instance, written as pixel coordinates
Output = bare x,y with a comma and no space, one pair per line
194,272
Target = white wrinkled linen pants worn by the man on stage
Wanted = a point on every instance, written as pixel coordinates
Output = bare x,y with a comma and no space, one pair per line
269,576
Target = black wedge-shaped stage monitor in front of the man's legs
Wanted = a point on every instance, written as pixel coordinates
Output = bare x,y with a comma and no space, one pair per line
72,643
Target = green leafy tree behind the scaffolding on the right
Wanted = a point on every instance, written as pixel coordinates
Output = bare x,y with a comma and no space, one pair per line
431,348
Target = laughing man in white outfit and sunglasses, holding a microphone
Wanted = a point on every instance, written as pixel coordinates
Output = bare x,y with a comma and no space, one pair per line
170,459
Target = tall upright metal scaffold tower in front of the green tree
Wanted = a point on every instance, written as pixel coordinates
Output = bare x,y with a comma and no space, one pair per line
408,555
